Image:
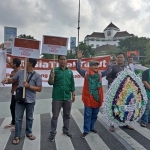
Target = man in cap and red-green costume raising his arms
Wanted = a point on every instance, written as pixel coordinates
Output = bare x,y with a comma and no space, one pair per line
92,93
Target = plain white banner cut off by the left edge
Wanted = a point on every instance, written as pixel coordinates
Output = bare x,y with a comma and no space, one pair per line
3,65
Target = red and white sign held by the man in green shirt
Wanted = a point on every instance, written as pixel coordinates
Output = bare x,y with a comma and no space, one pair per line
54,45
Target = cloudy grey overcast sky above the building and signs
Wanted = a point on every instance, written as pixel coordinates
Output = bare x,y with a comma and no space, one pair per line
59,17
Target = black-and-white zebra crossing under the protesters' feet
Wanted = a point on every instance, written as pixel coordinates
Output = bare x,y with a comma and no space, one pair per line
122,139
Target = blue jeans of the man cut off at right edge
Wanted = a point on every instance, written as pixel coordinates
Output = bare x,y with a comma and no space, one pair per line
146,115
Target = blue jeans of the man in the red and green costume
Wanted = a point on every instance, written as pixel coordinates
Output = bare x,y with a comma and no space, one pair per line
90,117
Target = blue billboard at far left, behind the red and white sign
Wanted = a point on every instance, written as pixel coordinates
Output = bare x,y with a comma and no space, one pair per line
9,33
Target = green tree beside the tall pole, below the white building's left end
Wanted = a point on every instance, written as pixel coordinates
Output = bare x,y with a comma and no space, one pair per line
88,51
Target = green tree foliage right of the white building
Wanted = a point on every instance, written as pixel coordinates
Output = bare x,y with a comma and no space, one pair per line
133,43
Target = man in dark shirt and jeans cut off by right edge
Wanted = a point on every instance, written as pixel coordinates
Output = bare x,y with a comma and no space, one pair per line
146,82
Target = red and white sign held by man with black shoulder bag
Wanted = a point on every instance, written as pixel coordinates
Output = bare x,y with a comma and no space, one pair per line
26,48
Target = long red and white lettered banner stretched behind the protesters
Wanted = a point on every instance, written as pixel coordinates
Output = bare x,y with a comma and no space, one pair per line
44,66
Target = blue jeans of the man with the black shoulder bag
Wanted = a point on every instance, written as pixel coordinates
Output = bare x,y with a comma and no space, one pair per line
19,112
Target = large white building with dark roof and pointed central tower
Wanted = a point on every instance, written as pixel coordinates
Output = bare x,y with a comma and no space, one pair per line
111,36
